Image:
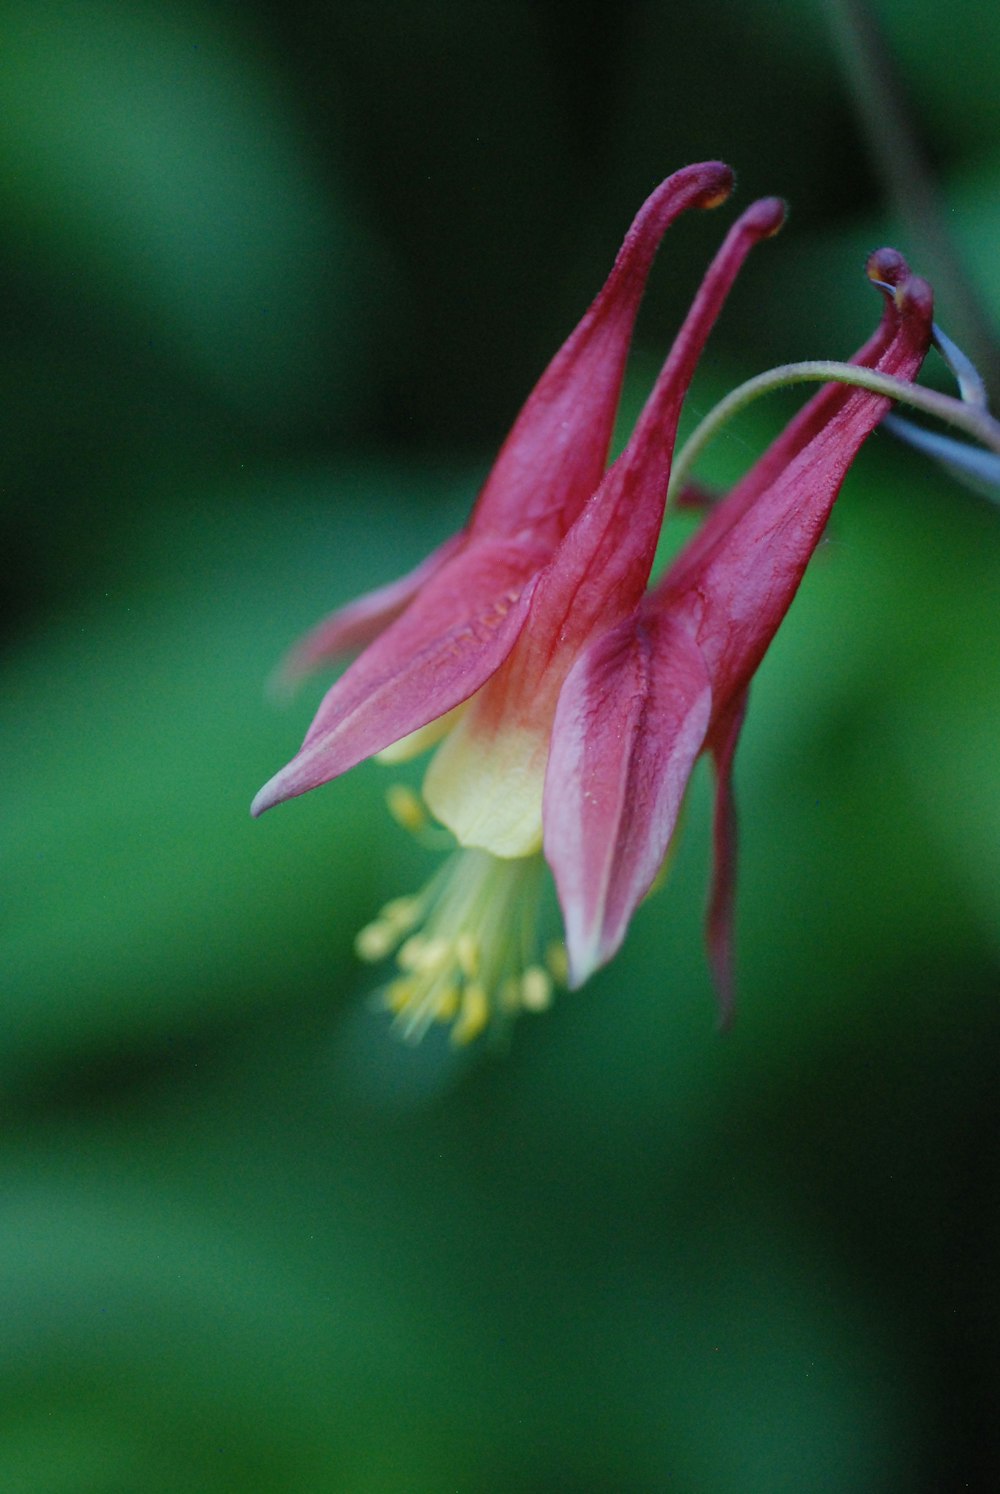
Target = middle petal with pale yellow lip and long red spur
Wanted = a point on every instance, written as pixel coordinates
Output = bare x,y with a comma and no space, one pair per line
487,779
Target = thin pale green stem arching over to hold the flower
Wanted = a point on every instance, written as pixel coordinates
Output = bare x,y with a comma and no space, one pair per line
974,421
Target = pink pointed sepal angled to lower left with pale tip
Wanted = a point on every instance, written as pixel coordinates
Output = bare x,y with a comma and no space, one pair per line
455,634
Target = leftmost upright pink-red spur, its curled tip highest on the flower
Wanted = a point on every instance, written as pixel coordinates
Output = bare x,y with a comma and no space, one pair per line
557,452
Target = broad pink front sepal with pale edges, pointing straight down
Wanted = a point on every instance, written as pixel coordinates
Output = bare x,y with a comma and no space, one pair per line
630,724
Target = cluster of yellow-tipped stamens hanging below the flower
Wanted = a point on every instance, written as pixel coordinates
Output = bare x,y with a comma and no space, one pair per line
467,948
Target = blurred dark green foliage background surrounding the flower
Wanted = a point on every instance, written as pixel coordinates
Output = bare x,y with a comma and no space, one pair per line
276,280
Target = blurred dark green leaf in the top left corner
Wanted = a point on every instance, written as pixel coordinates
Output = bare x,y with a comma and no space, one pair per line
149,155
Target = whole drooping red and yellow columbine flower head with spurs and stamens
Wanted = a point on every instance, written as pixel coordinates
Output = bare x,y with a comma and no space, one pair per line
566,697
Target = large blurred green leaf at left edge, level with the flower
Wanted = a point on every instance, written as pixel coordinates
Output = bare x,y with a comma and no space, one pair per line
135,737
